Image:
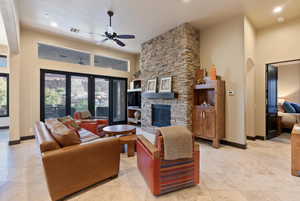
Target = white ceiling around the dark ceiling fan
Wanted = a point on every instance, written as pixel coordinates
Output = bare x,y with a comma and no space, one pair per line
145,18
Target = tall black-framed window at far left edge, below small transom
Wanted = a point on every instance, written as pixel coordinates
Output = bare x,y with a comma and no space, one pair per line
4,94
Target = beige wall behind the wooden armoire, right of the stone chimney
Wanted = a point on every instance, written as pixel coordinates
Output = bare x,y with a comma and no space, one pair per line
223,45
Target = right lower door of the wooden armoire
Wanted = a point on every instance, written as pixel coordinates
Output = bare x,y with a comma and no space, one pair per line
210,124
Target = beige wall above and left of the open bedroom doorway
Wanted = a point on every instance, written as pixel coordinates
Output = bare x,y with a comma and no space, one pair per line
276,43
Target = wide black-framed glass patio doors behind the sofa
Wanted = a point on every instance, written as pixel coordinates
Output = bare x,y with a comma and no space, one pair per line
64,93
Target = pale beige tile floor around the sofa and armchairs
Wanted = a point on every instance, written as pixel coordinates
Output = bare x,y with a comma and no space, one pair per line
260,173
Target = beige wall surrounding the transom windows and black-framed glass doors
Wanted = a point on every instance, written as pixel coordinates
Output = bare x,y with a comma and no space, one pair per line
29,73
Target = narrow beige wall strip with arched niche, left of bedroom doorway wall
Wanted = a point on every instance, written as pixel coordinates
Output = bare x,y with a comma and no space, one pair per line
249,44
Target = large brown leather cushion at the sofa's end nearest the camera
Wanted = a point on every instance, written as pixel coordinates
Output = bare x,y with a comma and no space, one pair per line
62,134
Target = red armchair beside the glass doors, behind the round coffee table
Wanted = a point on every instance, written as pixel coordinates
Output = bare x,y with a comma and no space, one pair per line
93,125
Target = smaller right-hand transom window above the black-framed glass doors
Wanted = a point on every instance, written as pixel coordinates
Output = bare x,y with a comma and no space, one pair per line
106,62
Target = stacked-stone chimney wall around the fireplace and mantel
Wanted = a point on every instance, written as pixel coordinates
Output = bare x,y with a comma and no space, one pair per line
176,54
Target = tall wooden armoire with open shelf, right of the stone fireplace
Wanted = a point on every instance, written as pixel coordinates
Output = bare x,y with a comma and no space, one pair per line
209,111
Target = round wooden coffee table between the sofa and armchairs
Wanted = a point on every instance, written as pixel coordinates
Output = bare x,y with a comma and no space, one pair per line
127,136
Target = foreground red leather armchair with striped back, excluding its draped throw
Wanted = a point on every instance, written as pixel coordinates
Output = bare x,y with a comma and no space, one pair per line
165,176
